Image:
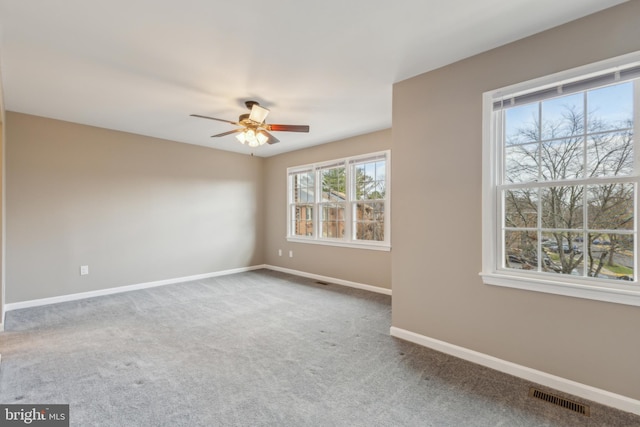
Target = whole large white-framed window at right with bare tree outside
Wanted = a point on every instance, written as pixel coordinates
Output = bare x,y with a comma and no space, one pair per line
560,183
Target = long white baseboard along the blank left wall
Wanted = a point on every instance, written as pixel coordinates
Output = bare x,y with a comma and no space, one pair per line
127,288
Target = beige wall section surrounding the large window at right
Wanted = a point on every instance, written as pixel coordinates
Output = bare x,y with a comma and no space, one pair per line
436,259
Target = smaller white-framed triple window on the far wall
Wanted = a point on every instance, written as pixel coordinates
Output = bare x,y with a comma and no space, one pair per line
342,202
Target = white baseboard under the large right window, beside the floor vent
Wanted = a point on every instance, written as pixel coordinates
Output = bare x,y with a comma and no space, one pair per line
558,383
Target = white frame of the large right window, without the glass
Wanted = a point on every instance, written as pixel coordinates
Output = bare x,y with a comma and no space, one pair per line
492,210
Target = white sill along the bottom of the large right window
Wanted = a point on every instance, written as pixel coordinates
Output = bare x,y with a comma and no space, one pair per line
573,288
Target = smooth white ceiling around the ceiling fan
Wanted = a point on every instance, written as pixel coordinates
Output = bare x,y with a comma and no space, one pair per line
143,66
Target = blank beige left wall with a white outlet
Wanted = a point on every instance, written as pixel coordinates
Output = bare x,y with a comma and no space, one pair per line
134,209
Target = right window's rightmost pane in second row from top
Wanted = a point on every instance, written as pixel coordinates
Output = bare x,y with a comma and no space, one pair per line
610,154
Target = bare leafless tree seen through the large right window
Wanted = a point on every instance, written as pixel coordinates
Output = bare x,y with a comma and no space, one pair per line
555,151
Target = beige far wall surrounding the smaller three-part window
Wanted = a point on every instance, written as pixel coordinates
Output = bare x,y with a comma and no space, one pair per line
356,265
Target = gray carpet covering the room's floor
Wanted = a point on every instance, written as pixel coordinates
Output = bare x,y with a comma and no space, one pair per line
254,349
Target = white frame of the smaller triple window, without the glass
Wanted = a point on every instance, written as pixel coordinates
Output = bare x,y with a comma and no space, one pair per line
348,240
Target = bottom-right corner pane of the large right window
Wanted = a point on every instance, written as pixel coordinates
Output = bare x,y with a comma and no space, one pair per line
611,256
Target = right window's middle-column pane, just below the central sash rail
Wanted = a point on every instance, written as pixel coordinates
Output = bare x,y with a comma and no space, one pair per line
562,207
